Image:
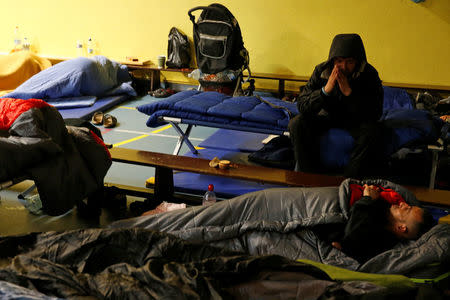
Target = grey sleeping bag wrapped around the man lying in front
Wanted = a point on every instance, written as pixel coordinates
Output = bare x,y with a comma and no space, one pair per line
283,221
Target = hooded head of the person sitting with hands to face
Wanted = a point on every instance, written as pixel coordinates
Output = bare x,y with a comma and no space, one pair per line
347,52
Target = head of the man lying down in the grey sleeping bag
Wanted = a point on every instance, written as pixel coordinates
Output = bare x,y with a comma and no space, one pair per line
409,222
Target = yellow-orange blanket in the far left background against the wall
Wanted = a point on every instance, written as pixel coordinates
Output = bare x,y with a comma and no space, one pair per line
17,67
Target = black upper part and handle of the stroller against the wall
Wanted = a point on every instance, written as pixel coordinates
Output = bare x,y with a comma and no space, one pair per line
218,40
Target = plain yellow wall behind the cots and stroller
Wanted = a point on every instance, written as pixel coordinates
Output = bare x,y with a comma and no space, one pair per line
405,41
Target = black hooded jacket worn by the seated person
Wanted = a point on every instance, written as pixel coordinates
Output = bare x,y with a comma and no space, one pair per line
365,103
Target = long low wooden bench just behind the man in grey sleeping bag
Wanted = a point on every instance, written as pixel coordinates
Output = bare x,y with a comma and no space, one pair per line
165,164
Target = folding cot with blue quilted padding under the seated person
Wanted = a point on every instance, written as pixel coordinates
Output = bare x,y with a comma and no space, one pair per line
408,127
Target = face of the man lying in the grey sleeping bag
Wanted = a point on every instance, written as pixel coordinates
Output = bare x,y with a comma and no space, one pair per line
411,216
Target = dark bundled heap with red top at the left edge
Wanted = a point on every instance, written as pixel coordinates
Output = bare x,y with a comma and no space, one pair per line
66,163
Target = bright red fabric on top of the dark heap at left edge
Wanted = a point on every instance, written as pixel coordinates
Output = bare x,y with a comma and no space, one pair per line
11,109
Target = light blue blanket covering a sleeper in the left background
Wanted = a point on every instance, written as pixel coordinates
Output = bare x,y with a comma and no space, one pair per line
97,76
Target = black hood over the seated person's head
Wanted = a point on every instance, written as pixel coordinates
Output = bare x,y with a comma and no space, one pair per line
348,45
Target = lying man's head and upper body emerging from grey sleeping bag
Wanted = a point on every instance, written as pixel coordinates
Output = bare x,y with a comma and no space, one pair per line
379,219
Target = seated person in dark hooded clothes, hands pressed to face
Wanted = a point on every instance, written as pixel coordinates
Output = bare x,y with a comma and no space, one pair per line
344,92
